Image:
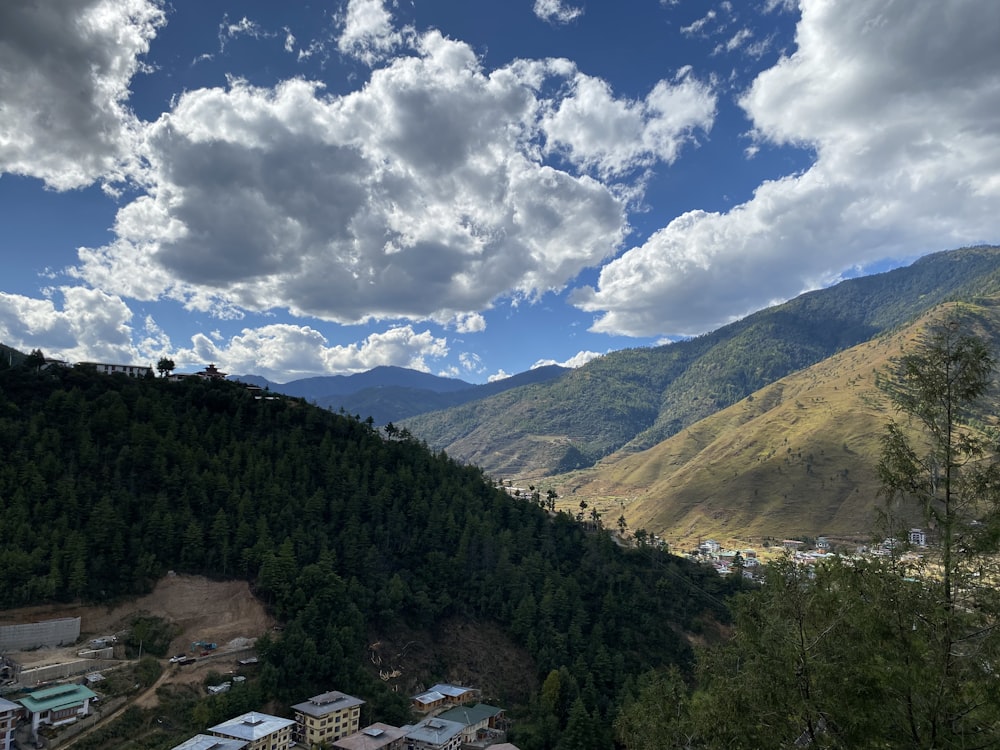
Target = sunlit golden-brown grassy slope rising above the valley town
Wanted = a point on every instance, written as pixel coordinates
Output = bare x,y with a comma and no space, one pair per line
797,458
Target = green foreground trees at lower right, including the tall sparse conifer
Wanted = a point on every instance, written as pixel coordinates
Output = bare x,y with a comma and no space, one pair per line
895,651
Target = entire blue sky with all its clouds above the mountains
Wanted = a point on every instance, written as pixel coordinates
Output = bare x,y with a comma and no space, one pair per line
471,188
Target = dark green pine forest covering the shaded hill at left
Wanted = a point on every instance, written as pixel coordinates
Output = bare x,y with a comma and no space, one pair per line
343,530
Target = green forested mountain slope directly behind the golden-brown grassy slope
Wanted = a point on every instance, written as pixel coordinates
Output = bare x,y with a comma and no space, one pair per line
636,398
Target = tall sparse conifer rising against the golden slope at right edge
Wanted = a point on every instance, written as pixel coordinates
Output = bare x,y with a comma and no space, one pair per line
948,466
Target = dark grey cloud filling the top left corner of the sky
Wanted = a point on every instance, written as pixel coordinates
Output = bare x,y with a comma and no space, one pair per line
65,116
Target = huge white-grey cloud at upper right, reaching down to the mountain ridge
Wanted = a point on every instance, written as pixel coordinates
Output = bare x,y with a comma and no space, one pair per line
898,102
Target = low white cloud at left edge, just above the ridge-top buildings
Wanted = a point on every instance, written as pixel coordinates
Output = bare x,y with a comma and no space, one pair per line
88,325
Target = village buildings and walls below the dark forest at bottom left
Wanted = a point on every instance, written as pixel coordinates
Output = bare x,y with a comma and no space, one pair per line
56,711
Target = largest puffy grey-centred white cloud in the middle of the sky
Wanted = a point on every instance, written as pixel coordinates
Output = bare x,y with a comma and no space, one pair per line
425,195
